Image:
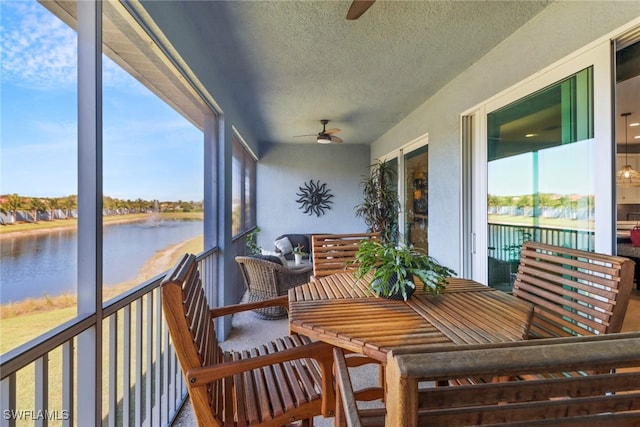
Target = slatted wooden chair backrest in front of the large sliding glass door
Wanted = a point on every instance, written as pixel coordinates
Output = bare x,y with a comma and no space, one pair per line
574,292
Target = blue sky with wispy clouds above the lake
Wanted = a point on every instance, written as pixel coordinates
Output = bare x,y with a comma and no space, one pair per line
143,138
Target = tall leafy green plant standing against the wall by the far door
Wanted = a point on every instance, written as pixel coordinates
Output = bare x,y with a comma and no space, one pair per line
381,205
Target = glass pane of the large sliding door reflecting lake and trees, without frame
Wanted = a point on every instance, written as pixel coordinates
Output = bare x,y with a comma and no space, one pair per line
540,179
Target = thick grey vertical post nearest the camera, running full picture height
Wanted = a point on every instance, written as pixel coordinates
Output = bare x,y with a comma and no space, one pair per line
90,209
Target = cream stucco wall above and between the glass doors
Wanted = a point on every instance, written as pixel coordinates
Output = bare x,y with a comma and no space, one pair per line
562,28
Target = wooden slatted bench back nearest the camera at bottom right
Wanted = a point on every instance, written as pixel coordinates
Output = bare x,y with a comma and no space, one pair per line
611,397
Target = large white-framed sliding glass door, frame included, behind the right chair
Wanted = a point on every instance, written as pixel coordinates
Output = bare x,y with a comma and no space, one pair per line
543,157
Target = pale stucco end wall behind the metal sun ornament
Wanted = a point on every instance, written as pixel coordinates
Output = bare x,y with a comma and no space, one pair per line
283,168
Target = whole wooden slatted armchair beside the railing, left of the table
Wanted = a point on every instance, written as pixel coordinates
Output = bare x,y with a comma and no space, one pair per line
278,383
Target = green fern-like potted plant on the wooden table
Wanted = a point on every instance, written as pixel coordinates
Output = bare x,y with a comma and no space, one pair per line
391,270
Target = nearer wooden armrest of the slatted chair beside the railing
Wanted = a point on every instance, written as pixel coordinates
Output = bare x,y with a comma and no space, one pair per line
319,351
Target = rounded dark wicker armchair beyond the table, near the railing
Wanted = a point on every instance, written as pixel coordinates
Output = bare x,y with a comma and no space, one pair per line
266,279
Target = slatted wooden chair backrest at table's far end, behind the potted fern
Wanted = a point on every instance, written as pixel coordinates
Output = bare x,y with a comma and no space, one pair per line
332,253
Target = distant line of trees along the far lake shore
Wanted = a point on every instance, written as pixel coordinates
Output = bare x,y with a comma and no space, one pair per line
51,208
